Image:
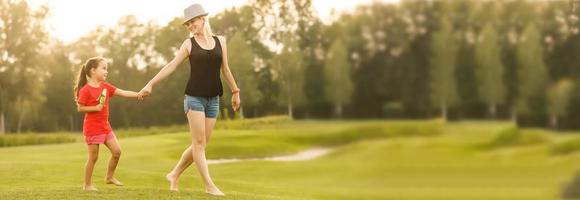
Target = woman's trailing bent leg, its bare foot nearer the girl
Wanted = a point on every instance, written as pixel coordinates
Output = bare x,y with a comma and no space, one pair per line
187,157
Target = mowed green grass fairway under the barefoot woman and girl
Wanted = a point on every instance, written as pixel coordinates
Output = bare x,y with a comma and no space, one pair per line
370,160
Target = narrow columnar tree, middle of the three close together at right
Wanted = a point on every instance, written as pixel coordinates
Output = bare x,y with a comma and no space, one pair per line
489,70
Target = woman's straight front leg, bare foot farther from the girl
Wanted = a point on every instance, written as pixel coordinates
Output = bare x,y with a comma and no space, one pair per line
196,121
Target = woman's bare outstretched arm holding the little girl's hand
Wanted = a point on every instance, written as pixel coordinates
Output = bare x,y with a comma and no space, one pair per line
181,54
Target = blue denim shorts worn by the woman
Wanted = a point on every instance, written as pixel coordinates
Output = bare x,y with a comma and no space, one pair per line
209,105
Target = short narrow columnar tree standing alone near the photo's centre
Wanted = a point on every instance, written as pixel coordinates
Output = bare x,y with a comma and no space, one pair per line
338,86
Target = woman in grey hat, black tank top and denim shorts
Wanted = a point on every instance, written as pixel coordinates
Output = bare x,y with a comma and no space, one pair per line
207,54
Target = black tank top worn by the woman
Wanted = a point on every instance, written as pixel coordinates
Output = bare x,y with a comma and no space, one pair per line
204,77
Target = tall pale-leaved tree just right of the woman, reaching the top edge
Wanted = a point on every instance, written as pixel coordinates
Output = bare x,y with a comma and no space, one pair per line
283,24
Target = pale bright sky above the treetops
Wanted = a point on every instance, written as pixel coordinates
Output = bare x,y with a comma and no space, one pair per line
70,19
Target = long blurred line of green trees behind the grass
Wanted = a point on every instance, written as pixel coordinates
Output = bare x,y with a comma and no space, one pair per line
456,60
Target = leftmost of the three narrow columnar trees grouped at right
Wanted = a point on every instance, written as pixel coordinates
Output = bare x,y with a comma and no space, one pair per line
442,61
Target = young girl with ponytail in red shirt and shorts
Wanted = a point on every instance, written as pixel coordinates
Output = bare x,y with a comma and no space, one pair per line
92,95
